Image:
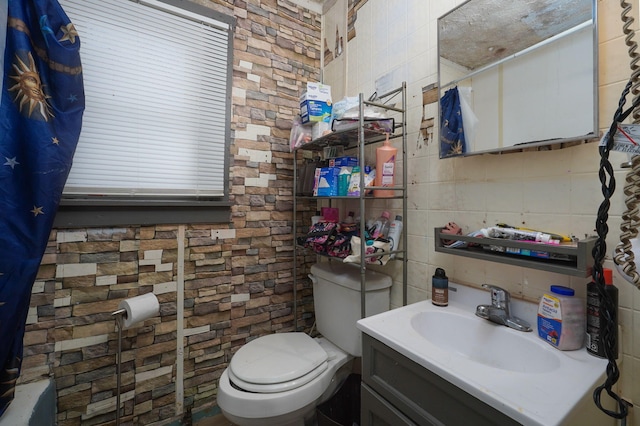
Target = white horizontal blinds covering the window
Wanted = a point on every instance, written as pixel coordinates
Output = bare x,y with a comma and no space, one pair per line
157,86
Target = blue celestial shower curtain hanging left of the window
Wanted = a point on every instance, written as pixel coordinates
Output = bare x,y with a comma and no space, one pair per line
40,119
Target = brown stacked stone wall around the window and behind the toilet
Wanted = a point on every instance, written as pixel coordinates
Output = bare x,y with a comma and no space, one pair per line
237,277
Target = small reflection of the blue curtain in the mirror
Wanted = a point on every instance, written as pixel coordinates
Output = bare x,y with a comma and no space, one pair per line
452,141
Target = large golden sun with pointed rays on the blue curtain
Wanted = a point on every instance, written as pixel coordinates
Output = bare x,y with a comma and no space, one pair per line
29,88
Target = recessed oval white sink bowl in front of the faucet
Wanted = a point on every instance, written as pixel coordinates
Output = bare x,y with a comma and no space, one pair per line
485,342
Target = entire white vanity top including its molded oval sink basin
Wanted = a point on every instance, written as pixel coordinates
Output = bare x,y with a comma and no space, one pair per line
515,372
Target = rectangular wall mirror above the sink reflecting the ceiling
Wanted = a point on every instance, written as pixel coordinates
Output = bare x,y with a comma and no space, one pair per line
520,74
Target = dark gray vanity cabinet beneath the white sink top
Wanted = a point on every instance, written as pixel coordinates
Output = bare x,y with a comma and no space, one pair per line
398,391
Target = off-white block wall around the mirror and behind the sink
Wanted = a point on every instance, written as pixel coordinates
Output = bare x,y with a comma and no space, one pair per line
558,189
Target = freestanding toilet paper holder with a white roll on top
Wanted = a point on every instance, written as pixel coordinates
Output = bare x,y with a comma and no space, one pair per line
131,311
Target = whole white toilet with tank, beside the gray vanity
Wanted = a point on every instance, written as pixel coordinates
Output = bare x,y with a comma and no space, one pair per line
279,379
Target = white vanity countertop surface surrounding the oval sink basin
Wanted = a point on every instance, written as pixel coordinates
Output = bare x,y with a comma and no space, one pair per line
542,398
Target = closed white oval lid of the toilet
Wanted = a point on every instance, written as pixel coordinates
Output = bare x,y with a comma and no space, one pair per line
277,362
